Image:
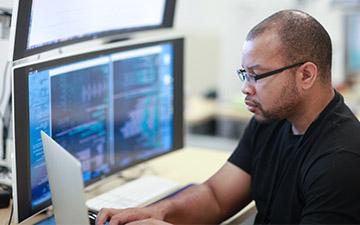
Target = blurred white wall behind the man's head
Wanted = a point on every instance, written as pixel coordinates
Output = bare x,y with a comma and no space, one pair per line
216,30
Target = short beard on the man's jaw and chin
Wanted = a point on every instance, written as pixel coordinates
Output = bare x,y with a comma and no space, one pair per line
283,107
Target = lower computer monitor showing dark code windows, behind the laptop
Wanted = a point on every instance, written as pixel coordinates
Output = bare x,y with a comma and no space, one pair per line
111,108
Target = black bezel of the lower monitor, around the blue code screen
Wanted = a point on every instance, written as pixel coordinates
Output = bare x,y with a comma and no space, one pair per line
21,182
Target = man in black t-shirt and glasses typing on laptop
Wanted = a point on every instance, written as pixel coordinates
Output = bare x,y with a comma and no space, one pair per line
299,158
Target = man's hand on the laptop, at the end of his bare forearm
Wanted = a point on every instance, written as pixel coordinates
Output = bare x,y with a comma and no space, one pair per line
125,216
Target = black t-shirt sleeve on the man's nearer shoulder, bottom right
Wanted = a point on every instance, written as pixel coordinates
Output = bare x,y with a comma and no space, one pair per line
332,190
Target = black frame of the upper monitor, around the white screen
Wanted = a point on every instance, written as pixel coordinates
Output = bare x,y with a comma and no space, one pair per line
23,24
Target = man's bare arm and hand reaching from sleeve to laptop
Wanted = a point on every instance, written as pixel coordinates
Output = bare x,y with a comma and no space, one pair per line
224,194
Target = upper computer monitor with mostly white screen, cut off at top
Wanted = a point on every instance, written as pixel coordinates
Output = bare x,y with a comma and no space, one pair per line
45,25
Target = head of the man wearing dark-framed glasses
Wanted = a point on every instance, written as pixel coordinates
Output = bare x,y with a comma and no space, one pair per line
286,38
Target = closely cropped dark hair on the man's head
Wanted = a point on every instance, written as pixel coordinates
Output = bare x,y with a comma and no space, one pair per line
303,39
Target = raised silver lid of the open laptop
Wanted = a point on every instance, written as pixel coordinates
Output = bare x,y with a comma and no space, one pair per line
66,184
